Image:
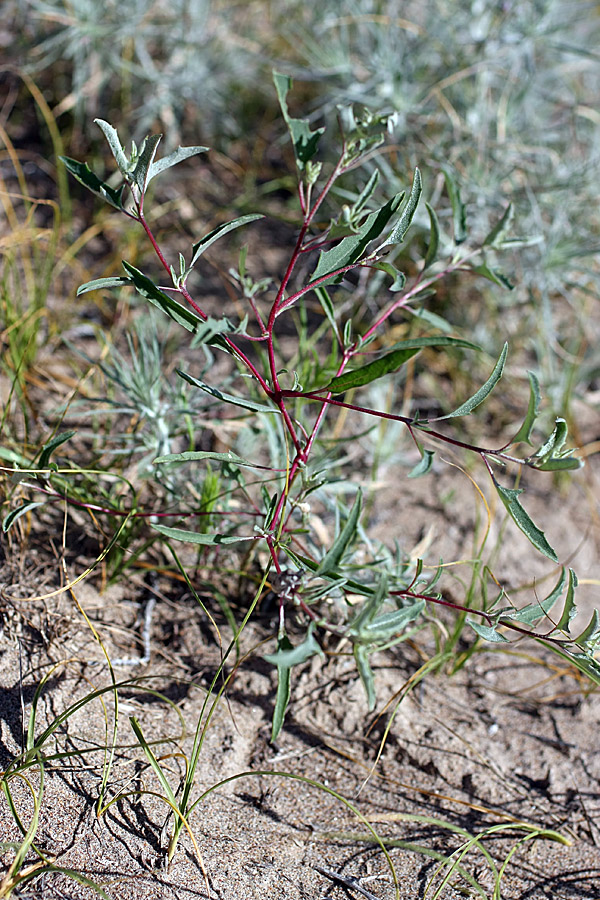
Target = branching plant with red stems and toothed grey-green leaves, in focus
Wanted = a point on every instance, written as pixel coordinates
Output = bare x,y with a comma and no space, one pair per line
370,604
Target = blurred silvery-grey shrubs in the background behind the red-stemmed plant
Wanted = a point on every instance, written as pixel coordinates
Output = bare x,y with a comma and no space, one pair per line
504,92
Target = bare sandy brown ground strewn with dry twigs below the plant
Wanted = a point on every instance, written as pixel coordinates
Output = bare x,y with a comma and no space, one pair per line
510,738
